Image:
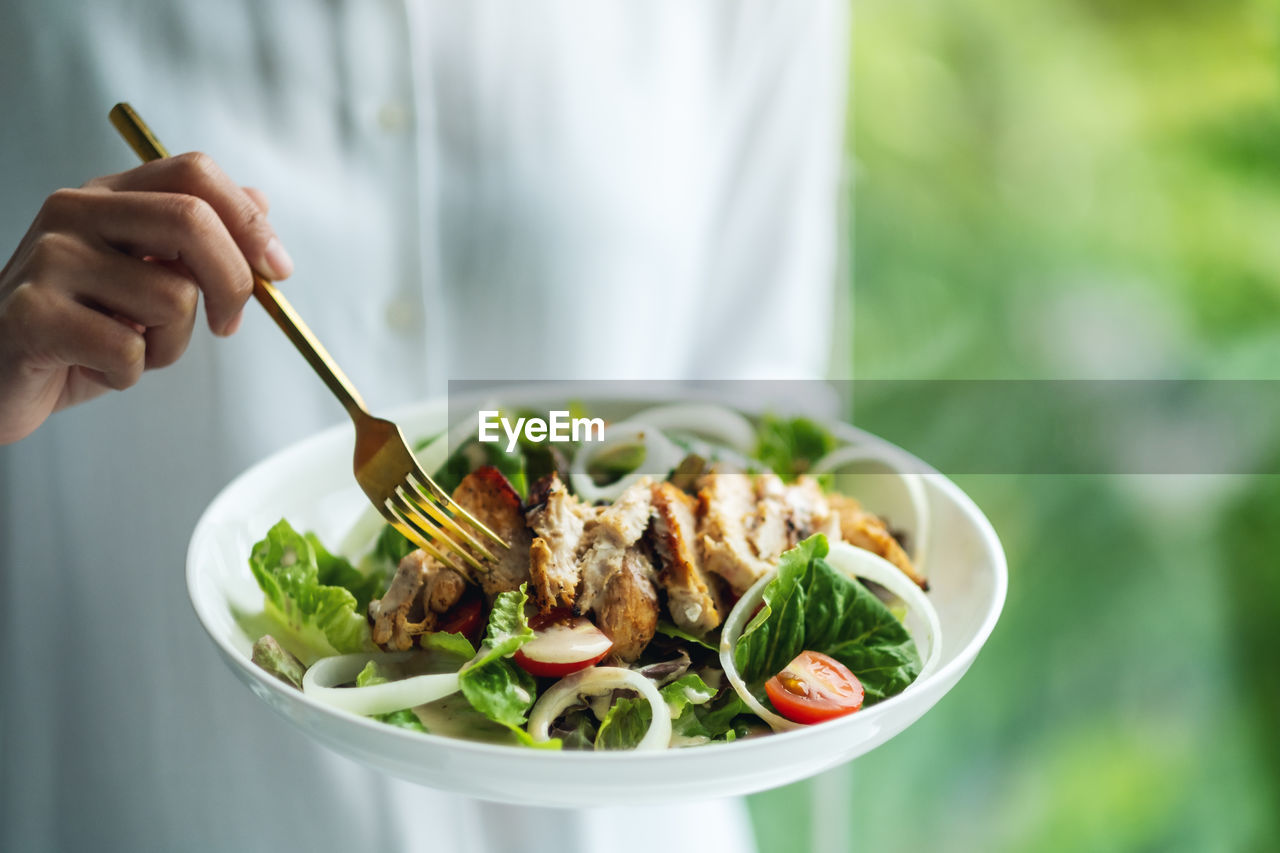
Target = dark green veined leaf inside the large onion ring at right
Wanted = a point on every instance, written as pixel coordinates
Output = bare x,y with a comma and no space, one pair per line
813,606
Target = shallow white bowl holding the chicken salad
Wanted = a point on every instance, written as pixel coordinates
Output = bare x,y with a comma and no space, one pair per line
312,486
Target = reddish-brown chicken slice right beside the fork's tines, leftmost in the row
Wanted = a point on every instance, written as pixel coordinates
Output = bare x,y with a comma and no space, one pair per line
487,495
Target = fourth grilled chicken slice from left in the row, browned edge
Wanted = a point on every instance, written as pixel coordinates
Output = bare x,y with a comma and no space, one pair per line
691,599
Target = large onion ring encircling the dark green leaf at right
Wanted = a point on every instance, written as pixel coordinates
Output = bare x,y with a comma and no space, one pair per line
854,563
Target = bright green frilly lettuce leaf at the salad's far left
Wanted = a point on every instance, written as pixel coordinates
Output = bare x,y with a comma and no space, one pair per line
322,613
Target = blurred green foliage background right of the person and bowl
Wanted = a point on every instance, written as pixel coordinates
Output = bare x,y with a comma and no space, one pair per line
1078,189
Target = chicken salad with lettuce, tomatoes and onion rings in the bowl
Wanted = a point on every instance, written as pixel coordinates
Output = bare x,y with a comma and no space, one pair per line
696,578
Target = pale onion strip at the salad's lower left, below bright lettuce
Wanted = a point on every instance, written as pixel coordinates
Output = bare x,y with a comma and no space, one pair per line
324,676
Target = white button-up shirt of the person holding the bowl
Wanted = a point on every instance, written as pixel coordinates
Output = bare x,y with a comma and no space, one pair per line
469,190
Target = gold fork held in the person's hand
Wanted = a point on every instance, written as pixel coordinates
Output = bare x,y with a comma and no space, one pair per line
386,468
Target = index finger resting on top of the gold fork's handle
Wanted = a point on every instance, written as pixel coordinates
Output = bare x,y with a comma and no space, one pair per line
198,175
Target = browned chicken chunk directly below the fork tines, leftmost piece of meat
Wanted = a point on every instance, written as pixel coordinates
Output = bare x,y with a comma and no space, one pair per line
420,591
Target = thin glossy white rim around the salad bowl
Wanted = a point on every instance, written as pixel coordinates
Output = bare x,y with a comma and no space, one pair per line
944,676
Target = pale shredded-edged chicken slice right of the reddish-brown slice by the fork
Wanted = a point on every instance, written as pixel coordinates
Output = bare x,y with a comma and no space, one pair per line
559,519
